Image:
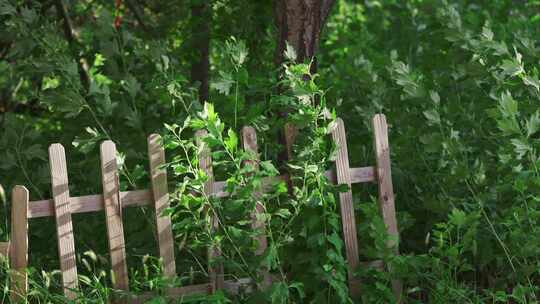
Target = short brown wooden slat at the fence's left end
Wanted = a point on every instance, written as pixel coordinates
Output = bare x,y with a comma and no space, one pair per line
19,241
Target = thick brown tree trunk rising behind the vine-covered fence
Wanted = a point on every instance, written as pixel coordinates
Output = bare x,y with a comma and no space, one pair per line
299,23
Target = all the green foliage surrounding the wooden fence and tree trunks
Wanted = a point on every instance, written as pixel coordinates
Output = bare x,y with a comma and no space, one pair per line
457,80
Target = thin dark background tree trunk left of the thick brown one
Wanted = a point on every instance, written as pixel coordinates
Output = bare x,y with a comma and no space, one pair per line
201,16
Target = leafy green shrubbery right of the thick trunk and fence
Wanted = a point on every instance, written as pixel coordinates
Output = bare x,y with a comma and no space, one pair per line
458,83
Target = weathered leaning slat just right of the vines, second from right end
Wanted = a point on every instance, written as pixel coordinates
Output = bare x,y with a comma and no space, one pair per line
346,205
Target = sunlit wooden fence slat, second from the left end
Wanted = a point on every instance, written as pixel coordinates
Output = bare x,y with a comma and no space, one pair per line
64,225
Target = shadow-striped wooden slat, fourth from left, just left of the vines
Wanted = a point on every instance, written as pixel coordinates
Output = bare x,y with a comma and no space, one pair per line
158,175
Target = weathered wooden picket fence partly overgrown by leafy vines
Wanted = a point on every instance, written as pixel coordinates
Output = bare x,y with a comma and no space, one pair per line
112,201
